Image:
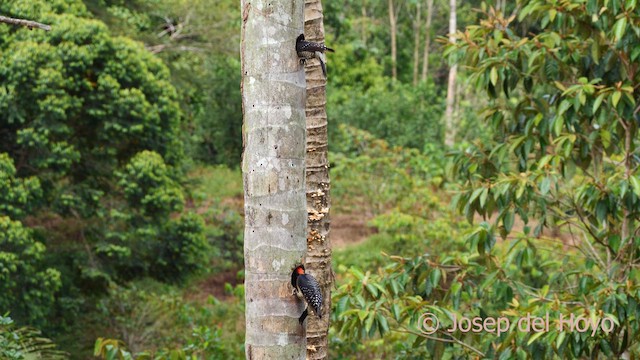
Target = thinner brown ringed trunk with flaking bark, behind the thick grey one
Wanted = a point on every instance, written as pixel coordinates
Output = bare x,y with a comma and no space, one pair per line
317,177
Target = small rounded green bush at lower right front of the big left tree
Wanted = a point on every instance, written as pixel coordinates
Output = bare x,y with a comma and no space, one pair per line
146,240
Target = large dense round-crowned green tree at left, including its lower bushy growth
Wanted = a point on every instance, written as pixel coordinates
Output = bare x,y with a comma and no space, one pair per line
95,119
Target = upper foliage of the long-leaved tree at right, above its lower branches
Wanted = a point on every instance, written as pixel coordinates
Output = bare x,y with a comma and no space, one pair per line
567,124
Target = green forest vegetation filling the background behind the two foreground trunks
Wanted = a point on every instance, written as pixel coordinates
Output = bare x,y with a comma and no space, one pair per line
121,199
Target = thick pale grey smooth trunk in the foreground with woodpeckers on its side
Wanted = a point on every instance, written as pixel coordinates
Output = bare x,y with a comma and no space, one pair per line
273,92
